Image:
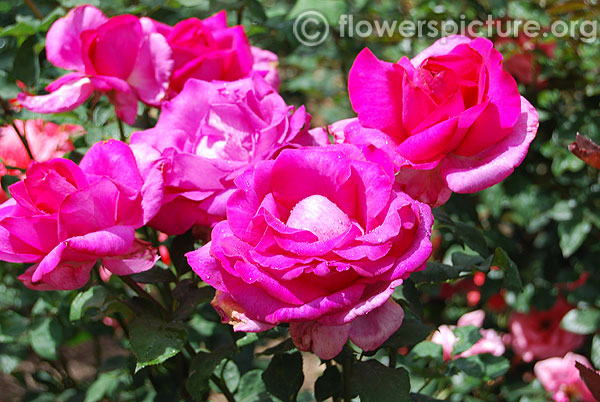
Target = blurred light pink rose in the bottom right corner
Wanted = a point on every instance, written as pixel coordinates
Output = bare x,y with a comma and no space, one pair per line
561,378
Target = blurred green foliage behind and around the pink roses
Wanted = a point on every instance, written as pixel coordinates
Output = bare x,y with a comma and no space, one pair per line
57,346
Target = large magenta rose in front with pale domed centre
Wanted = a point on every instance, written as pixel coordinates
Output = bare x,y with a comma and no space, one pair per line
318,238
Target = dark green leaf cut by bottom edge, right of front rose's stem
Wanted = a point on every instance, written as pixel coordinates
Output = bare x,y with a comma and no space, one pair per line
374,382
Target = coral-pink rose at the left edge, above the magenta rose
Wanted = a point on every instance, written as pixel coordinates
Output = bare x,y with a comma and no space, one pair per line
46,140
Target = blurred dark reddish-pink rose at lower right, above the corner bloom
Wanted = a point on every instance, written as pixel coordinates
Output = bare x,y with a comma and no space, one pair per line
538,334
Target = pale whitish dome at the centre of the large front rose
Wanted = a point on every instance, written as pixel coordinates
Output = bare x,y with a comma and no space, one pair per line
320,216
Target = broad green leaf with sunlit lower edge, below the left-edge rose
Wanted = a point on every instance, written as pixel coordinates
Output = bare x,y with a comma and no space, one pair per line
153,341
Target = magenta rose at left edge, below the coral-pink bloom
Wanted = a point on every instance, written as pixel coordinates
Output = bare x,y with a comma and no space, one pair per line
64,217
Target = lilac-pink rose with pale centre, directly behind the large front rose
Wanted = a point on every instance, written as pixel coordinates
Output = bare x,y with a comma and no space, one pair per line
202,143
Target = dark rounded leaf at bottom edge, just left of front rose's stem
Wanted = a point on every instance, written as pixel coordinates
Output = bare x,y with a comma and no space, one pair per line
284,377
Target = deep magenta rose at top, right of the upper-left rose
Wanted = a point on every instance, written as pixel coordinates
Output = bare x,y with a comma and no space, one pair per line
210,50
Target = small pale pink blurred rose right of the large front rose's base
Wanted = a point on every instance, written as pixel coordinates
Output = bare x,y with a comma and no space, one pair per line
490,341
